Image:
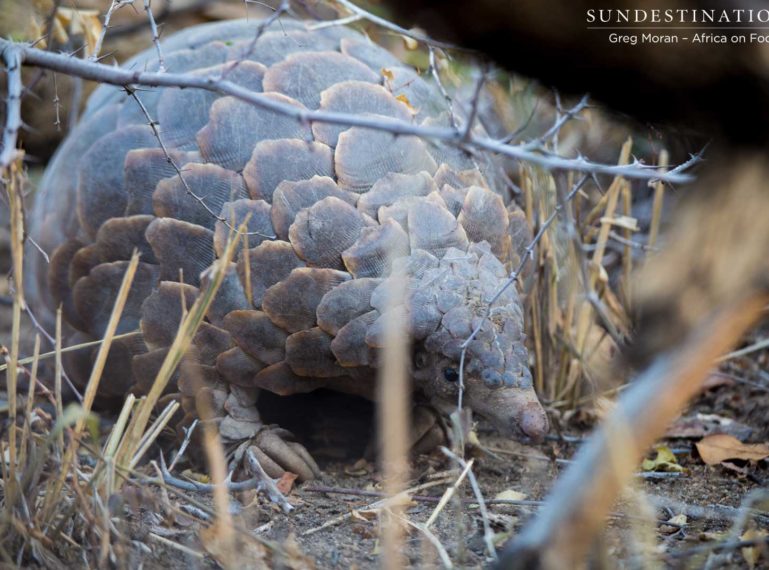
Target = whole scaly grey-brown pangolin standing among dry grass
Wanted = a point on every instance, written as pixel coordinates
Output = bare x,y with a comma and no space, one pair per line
332,212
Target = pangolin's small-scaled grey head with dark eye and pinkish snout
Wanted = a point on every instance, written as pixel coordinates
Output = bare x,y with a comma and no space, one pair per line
446,300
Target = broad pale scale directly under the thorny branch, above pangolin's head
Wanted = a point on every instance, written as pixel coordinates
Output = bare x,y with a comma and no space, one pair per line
363,156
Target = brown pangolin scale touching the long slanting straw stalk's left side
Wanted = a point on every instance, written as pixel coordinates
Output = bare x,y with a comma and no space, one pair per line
162,312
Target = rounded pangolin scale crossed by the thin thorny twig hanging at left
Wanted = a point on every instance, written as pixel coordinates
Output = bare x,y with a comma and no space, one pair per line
180,197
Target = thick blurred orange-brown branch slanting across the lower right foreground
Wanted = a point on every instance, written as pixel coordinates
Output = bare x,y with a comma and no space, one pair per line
582,498
